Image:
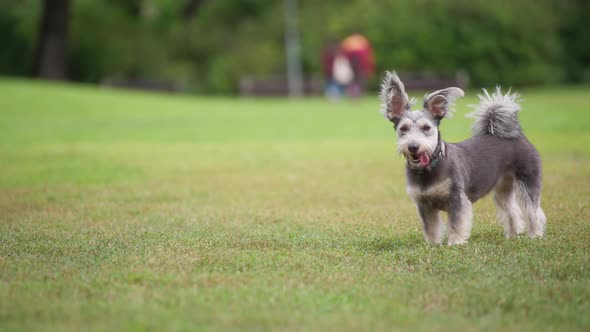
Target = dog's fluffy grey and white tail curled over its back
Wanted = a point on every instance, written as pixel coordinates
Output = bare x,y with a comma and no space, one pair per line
496,114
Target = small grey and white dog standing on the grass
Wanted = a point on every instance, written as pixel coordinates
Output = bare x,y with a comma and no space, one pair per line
450,177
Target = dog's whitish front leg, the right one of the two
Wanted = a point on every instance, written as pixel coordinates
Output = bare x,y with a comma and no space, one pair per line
460,218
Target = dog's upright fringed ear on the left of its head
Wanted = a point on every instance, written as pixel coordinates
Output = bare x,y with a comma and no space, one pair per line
394,98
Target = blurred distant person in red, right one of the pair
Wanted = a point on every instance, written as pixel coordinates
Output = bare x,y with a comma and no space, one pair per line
359,52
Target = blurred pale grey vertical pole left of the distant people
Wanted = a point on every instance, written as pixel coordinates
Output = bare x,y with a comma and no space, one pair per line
292,50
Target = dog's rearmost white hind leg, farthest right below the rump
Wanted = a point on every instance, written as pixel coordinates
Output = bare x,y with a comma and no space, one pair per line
529,198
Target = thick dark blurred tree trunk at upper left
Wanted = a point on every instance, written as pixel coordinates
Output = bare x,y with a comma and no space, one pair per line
50,55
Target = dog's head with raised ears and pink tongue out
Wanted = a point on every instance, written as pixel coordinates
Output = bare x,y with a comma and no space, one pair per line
417,131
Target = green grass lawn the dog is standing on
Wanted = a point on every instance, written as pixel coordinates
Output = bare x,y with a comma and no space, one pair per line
129,211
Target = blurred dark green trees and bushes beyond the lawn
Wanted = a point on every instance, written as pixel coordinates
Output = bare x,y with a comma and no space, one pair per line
266,46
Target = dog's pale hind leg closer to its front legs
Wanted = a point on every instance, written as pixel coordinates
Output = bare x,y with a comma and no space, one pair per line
507,207
